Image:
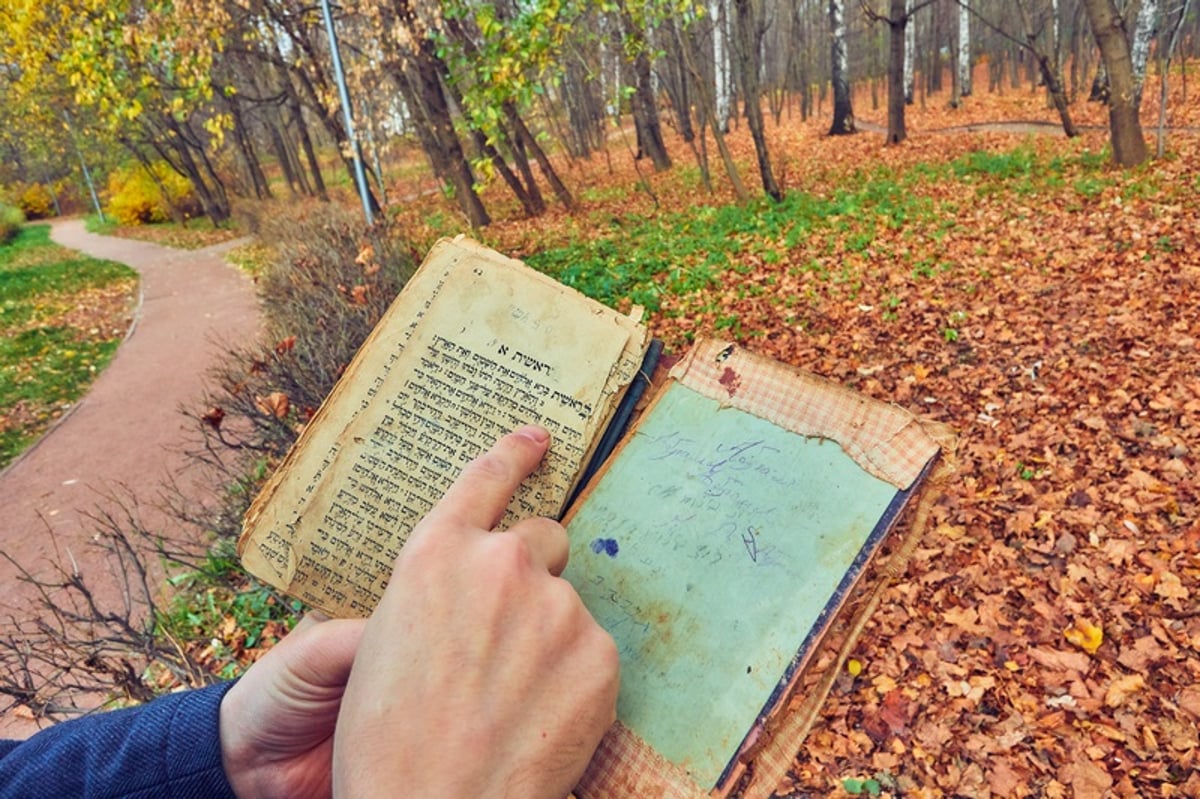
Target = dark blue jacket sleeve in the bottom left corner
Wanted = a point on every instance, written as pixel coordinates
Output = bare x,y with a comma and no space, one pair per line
167,748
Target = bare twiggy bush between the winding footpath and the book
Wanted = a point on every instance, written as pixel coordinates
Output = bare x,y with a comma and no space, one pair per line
331,283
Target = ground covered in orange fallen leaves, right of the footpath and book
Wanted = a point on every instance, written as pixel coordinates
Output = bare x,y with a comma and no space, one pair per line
1046,640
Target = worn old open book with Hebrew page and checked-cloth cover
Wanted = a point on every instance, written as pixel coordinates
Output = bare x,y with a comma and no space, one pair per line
716,543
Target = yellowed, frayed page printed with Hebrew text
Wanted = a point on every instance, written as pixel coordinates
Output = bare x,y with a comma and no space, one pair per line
477,346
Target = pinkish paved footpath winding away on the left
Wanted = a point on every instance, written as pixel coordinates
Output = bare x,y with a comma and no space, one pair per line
125,440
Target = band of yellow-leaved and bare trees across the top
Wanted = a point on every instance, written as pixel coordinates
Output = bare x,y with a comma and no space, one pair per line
217,89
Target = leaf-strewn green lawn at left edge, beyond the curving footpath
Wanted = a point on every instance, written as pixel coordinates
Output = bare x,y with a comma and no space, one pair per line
62,319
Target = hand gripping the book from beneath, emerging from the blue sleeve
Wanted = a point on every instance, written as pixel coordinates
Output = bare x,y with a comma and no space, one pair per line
278,723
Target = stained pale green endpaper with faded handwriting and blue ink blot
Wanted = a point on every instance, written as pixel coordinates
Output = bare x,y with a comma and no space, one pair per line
710,550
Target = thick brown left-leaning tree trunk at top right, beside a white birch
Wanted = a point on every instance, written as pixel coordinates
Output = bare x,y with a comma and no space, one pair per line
1125,128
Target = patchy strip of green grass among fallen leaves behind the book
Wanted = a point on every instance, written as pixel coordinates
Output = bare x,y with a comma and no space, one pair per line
677,254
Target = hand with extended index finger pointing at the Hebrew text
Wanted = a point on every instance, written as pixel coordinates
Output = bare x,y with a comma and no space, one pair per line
481,674
